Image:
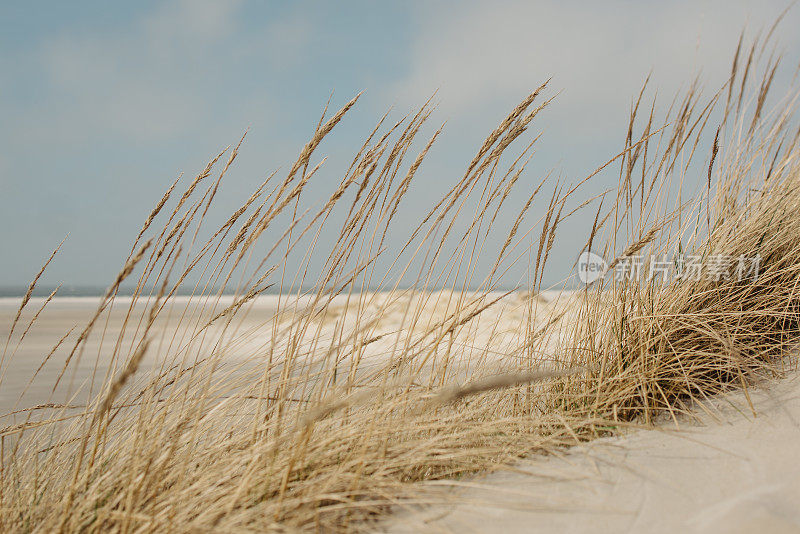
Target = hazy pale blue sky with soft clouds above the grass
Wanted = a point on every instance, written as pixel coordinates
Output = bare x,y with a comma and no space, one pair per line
103,105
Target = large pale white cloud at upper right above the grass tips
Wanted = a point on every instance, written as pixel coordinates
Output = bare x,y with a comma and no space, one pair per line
597,53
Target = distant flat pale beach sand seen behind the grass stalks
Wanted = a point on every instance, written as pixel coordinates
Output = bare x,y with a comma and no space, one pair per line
493,335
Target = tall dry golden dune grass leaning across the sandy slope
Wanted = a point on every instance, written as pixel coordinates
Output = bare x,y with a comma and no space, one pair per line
368,380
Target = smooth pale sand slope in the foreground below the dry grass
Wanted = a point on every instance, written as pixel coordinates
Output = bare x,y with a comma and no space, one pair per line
728,471
